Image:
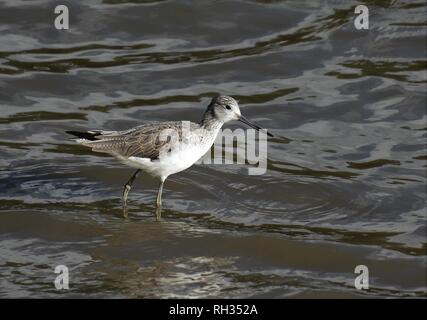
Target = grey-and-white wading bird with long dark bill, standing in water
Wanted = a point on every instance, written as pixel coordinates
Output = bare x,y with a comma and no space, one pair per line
164,148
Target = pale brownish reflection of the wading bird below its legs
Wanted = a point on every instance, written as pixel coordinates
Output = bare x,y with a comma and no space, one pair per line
144,258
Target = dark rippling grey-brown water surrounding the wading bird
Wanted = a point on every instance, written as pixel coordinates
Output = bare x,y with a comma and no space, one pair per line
346,179
